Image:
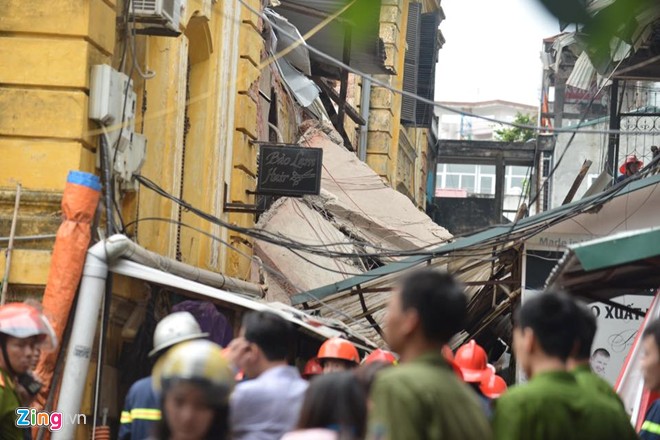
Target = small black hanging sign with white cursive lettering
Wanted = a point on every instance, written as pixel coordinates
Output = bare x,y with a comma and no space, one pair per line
289,170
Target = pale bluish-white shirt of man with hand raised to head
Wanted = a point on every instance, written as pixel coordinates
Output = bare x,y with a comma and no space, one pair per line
267,407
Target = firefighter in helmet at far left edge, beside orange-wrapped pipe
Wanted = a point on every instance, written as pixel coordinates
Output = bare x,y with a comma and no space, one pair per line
23,331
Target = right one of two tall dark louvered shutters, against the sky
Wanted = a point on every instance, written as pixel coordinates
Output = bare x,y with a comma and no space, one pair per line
428,57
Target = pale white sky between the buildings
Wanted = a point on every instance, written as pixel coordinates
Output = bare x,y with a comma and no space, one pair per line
492,50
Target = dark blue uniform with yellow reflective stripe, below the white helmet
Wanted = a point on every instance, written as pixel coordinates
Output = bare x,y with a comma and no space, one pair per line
141,411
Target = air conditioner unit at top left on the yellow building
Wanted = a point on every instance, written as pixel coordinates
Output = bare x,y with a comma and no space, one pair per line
157,14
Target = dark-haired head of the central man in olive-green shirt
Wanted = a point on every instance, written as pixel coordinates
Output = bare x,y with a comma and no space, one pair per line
429,307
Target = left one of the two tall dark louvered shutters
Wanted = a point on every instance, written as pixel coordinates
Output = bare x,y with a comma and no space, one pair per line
408,104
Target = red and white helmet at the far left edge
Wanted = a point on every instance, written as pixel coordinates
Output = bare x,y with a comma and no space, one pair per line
23,321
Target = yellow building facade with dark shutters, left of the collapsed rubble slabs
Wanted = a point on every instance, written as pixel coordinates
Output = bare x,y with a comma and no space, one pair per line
208,92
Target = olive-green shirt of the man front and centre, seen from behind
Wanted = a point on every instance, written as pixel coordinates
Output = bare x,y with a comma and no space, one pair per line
424,400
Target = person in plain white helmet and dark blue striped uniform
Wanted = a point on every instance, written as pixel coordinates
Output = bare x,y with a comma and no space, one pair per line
142,405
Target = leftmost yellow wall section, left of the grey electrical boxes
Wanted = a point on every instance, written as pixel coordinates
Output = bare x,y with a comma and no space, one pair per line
46,48
